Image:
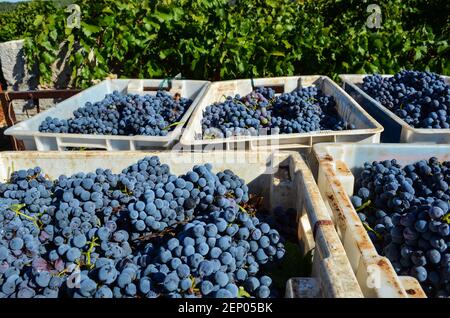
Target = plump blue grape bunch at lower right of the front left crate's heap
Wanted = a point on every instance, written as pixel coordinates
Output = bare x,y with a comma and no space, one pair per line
215,255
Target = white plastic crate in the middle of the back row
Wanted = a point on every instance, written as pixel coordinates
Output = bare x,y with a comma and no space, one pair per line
367,129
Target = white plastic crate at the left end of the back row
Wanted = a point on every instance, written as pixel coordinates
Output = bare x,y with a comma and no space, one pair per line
28,131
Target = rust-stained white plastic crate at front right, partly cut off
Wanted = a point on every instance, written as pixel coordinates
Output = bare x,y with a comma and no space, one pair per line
339,164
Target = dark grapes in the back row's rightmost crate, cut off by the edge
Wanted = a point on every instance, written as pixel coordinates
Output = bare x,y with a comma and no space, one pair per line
422,99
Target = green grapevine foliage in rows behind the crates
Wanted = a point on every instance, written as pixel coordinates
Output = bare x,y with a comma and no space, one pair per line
224,39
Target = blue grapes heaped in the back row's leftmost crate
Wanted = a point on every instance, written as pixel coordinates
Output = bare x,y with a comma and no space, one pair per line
123,114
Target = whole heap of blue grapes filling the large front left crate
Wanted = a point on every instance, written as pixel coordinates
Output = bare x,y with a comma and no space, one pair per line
143,232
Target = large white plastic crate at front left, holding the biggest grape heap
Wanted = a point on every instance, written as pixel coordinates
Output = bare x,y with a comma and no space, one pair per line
283,179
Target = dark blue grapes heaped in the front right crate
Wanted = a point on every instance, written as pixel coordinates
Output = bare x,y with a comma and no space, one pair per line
406,212
